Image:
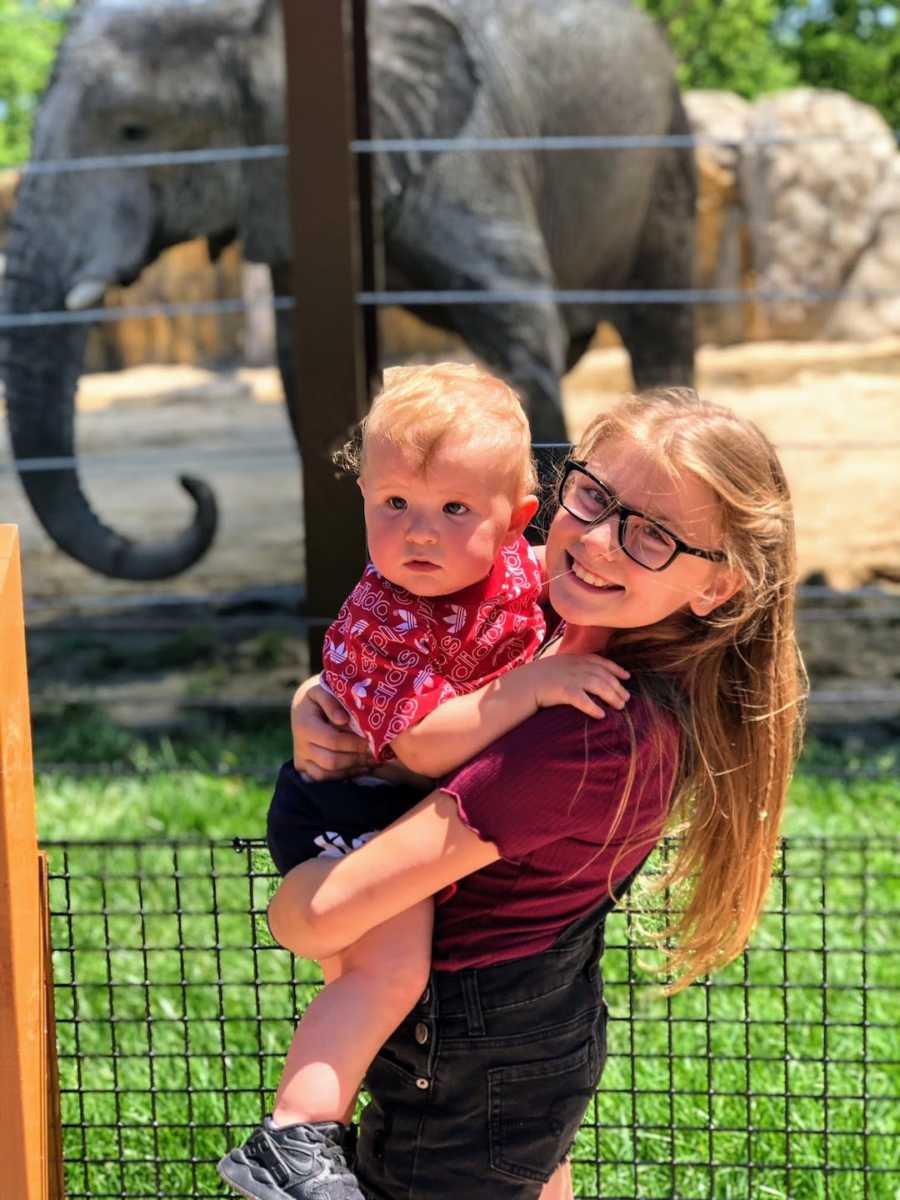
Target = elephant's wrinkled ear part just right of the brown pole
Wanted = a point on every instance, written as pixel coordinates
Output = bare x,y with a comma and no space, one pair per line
424,81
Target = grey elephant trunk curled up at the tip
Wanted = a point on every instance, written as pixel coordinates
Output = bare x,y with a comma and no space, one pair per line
40,368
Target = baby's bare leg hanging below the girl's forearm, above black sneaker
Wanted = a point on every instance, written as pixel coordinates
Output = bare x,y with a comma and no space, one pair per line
374,985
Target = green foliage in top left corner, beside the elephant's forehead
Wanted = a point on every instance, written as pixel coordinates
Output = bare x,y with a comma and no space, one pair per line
29,34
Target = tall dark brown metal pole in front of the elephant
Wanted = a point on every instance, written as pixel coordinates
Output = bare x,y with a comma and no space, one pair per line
329,338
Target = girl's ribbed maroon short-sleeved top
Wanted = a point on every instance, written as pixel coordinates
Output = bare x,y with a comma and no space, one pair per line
547,795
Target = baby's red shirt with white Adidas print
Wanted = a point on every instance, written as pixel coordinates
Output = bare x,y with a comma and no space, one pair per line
391,658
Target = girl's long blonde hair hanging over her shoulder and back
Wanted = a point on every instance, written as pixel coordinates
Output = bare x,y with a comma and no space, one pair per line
734,680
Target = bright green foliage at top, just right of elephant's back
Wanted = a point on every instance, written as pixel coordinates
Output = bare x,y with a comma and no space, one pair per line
727,44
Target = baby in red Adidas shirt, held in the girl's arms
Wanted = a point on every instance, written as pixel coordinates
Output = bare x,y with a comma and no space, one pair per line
448,604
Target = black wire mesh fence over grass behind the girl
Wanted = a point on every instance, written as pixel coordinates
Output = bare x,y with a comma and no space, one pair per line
779,1078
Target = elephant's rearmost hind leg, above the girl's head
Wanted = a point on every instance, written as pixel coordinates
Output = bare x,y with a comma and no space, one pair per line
661,338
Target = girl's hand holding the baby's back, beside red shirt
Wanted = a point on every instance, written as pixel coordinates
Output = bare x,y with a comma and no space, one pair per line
323,746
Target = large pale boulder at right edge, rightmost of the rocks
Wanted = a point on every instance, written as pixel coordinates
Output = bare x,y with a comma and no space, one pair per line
809,200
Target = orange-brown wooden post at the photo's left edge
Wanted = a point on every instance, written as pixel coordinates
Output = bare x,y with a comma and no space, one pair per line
25,1061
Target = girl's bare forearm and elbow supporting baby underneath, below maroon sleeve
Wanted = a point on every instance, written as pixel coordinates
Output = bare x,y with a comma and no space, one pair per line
326,905
